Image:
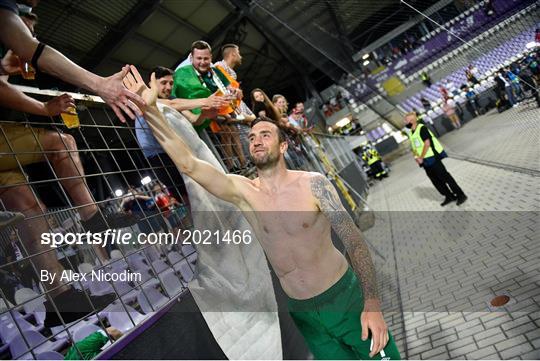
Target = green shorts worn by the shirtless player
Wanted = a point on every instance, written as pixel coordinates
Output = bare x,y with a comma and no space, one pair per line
330,323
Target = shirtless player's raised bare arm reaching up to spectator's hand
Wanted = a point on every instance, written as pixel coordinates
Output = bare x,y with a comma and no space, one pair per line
224,186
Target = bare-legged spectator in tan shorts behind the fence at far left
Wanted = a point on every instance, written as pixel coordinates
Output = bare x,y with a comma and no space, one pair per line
61,152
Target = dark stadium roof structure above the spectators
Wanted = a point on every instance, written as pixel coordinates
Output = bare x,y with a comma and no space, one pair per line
288,47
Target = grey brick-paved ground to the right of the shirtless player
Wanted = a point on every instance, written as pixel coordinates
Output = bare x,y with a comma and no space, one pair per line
440,267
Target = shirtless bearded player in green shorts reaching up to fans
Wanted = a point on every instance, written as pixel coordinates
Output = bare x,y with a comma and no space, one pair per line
335,306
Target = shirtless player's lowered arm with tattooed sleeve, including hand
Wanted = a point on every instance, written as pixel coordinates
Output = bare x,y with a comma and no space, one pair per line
330,205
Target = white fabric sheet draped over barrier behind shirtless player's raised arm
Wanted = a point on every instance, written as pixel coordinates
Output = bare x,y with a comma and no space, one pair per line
229,277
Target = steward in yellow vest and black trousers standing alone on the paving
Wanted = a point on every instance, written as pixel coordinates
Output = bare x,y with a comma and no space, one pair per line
428,153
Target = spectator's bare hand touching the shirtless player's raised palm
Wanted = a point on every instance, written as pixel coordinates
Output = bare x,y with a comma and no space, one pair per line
113,92
